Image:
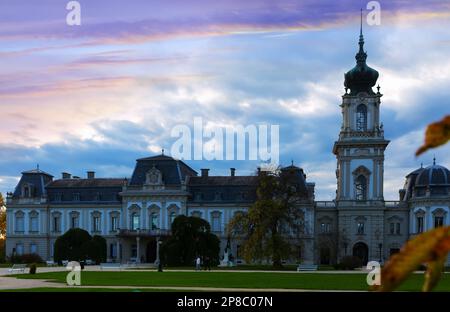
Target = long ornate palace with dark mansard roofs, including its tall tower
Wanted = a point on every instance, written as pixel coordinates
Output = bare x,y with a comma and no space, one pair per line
135,213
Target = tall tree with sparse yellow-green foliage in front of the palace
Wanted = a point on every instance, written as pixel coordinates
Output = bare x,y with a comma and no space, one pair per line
274,224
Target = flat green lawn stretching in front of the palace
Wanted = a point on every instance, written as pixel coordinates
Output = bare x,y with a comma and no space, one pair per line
233,280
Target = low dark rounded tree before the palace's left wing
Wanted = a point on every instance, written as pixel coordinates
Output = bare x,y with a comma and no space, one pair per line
77,245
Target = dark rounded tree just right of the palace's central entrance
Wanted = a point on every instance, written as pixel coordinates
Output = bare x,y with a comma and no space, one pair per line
191,238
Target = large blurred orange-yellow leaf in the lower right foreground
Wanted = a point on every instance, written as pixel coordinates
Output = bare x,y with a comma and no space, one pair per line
428,247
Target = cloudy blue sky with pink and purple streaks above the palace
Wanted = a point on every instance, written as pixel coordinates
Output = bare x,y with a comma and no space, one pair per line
100,95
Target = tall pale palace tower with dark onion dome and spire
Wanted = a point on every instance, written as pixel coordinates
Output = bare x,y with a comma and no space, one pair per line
359,153
